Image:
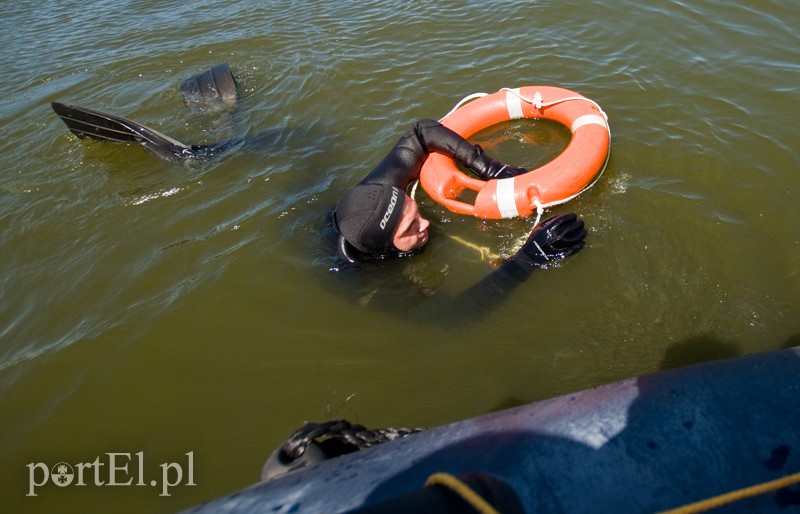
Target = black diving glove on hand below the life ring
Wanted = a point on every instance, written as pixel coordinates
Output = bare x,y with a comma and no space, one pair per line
554,239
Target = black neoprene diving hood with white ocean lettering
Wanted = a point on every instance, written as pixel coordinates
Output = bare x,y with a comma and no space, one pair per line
367,217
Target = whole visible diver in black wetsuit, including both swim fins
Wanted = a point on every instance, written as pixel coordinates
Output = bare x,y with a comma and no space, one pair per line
376,219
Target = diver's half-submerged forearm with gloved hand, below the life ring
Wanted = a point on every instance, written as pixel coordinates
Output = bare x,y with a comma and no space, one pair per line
552,240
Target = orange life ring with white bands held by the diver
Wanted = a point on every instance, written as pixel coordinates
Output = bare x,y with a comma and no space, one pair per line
564,177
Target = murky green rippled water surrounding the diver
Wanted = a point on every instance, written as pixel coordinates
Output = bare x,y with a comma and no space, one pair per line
153,308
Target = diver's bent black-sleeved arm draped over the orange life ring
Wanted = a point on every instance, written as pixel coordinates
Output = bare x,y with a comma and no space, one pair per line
402,164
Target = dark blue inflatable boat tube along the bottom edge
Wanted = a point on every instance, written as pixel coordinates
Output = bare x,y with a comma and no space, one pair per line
649,444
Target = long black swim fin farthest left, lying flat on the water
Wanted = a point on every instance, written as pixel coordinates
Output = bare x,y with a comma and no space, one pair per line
88,123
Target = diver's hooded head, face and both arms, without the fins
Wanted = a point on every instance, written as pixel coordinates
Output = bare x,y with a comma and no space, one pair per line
376,219
